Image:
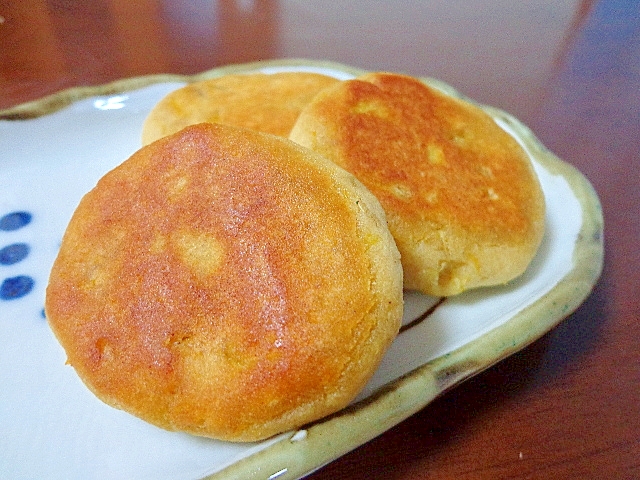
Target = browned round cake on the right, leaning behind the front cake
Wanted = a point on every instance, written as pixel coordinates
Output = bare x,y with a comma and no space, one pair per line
460,194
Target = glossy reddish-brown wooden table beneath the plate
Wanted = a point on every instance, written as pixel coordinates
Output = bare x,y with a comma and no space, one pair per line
567,406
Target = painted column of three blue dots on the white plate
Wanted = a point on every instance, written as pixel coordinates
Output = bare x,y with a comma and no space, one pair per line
18,286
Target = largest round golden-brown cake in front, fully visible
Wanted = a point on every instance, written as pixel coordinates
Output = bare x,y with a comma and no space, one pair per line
226,283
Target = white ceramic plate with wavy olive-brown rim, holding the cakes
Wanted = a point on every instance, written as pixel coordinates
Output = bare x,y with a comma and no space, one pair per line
54,150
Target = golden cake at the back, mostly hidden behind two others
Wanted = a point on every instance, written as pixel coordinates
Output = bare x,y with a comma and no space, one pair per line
268,103
